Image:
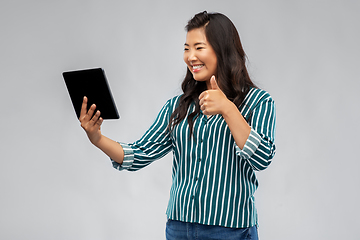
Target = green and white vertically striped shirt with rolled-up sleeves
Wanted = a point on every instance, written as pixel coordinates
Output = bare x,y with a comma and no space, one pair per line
213,180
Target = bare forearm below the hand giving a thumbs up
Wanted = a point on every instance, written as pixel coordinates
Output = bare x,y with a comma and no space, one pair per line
239,128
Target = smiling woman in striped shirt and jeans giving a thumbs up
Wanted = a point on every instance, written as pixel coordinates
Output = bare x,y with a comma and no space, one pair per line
220,130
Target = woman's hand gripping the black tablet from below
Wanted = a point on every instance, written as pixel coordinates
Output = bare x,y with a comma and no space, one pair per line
91,123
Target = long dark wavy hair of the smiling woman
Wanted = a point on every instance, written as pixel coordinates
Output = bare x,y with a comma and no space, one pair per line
232,75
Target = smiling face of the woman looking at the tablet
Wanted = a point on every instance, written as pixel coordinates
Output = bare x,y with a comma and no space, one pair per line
199,56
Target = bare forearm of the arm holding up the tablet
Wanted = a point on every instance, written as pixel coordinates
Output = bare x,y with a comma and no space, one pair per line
111,148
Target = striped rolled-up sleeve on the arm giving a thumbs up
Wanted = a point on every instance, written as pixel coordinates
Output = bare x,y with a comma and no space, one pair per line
259,148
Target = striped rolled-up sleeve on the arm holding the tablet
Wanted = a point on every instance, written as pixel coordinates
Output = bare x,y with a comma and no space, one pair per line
154,144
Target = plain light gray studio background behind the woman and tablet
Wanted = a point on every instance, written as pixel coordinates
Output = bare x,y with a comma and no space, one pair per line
55,185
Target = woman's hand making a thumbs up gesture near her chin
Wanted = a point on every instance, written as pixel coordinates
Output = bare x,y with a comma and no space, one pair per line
213,101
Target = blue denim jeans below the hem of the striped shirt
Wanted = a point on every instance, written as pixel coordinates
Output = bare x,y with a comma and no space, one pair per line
176,230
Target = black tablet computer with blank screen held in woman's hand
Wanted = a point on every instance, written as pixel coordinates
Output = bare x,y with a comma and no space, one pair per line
93,84
